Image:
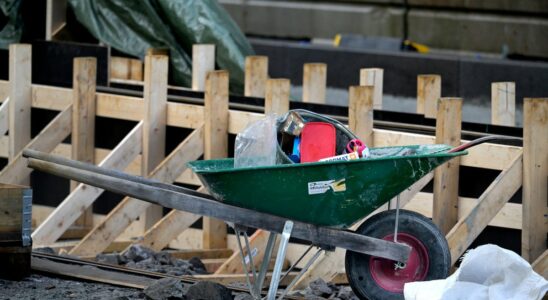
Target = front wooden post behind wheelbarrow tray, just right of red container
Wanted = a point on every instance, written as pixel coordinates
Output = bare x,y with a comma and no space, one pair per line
360,112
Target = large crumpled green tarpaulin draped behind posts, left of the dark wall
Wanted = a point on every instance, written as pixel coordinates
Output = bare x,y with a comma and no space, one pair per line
133,27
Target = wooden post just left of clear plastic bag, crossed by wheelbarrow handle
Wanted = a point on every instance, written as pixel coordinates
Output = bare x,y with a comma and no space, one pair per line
215,145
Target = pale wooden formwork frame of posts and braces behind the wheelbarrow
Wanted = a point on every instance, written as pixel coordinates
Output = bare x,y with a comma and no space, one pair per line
525,167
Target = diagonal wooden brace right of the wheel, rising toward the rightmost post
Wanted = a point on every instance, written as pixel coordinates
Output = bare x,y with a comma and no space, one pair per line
490,203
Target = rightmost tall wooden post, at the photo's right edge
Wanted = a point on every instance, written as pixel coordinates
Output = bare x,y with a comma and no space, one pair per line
535,176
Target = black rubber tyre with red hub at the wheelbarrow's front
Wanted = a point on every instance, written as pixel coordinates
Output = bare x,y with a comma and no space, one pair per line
377,278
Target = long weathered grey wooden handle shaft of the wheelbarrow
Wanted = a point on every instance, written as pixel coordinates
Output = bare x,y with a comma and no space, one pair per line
211,208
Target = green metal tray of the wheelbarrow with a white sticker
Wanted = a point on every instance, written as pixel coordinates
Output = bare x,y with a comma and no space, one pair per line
334,194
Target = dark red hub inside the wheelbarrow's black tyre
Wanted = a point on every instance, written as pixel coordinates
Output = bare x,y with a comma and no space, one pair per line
392,279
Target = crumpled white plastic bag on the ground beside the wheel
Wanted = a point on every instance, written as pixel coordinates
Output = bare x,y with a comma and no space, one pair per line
487,272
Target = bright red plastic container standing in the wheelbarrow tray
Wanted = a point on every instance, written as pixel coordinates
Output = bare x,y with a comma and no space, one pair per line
318,140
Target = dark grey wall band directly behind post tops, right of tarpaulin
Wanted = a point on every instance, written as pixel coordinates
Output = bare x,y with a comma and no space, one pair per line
465,77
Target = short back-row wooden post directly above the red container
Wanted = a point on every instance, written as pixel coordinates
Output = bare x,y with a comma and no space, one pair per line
314,82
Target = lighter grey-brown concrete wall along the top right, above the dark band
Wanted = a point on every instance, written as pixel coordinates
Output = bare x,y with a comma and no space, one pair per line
487,28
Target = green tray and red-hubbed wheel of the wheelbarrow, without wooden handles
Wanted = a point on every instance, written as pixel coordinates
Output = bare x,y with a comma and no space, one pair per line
338,195
